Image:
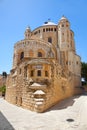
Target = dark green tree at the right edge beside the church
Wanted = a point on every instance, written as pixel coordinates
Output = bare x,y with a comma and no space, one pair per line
84,72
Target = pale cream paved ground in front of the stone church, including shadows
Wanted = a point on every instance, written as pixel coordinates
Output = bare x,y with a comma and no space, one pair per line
70,114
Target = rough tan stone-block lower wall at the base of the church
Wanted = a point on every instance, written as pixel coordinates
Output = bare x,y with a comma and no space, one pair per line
59,87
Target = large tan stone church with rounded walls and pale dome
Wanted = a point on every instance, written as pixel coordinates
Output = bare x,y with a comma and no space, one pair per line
46,68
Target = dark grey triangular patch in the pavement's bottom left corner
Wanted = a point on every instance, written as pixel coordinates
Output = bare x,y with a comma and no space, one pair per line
4,123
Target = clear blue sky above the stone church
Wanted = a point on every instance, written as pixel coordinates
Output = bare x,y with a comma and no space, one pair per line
16,15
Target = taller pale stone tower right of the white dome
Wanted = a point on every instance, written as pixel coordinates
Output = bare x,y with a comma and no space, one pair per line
65,35
